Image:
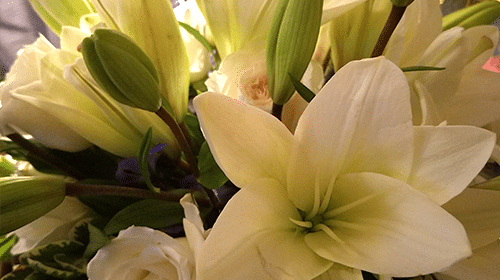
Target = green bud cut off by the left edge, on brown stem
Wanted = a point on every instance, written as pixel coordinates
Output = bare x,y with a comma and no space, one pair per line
25,199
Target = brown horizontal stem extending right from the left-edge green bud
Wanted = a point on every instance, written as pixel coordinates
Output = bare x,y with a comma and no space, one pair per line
77,189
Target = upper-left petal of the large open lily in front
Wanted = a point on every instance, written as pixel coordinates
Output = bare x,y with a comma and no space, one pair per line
251,144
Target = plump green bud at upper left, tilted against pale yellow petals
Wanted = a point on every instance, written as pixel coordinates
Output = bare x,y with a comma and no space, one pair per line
122,68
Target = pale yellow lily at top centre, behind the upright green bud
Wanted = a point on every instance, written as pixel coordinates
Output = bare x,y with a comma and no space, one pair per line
236,23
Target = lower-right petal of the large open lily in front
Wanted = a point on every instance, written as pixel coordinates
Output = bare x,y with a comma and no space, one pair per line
393,231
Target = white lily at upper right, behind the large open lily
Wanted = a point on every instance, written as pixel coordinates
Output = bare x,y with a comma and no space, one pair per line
463,93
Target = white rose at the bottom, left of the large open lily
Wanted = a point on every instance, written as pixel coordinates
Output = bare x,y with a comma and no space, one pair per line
143,253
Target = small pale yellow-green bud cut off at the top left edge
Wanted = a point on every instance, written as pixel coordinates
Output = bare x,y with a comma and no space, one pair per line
57,14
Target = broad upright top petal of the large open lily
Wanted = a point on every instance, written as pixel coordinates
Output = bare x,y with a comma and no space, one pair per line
360,121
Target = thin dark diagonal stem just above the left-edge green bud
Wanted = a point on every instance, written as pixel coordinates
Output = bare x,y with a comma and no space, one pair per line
44,156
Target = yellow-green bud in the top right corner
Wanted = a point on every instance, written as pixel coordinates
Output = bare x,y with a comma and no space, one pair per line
483,13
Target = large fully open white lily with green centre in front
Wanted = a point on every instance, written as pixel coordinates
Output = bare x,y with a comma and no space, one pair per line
356,188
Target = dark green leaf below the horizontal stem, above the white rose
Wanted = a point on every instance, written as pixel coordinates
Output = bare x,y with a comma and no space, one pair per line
149,213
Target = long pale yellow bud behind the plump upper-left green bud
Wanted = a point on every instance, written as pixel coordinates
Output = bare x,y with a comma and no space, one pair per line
153,26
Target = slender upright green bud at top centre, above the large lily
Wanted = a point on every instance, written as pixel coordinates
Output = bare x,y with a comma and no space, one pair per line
291,44
